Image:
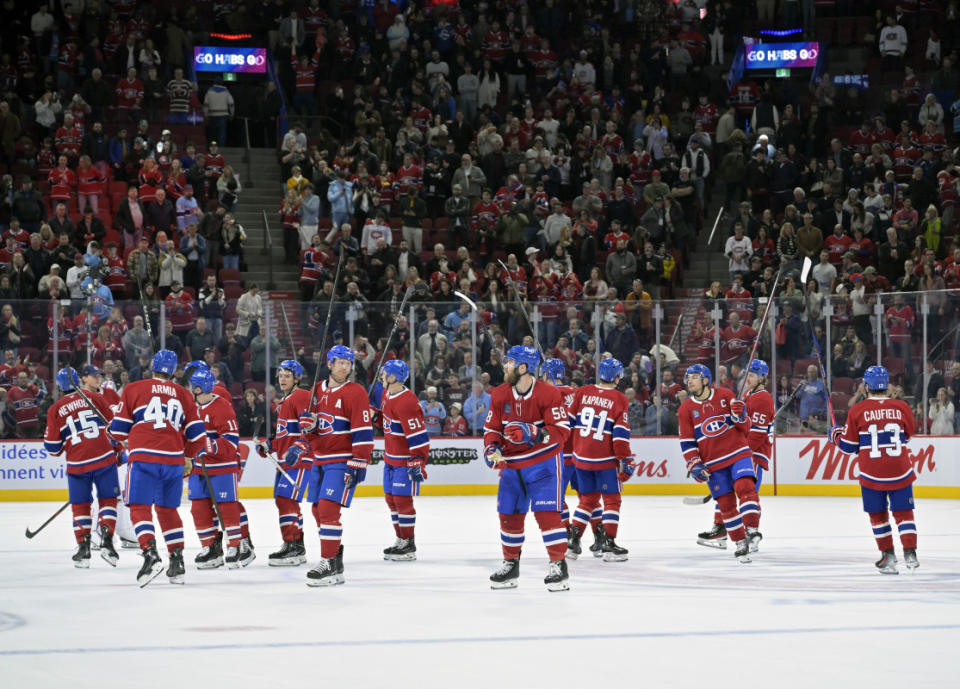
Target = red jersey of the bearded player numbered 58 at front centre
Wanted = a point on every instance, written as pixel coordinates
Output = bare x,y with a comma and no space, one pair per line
542,406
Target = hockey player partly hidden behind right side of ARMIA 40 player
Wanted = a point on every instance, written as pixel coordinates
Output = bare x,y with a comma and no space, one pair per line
222,465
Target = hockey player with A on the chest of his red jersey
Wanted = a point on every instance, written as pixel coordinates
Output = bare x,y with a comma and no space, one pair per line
336,429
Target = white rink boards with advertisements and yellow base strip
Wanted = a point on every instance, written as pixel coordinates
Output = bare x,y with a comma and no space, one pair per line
801,465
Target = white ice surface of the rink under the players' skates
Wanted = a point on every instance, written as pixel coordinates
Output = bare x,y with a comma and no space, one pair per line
810,611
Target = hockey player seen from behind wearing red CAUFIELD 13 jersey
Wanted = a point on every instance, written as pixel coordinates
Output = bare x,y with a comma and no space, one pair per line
877,431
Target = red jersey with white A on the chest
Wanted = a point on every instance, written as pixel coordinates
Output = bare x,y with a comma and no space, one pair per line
343,428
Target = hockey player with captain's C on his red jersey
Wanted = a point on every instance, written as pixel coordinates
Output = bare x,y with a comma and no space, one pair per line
713,439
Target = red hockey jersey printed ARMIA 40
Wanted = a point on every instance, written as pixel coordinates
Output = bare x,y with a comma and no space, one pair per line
160,420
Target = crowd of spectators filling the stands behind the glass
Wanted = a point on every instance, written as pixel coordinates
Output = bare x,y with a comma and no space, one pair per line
581,144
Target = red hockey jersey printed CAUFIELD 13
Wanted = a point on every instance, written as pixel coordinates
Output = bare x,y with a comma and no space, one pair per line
877,431
